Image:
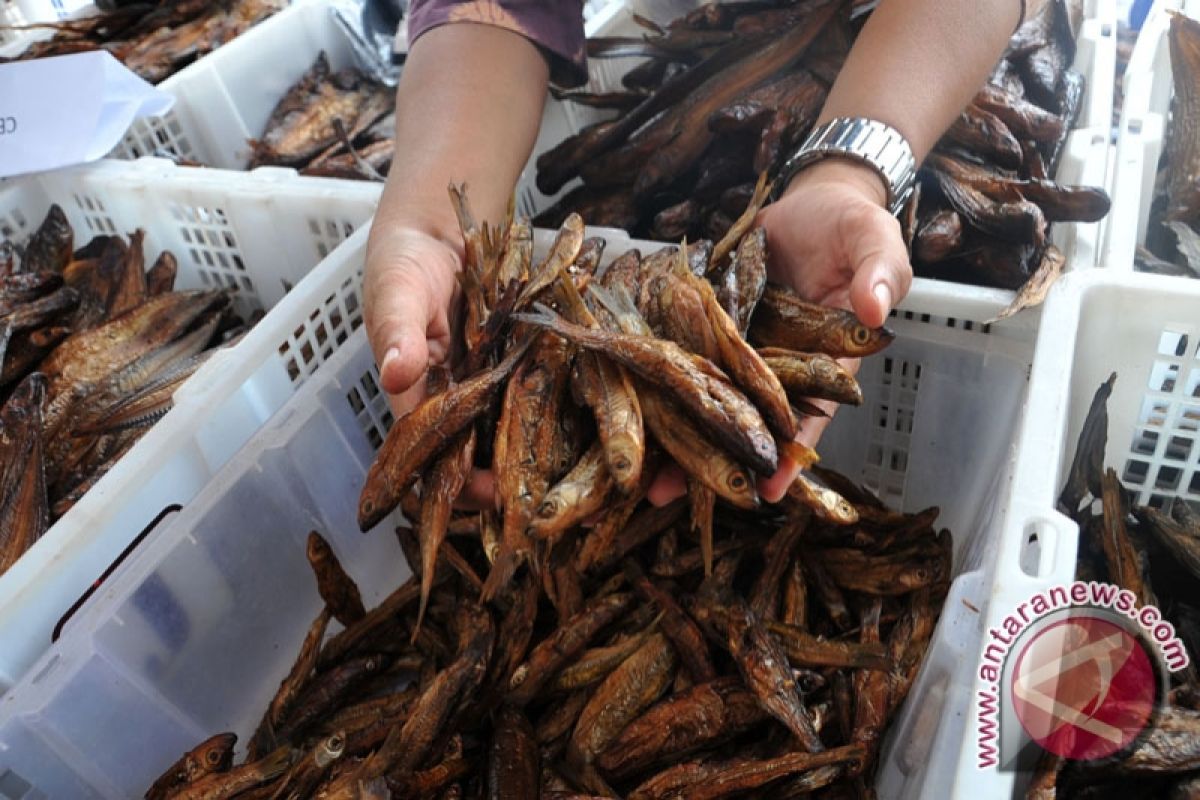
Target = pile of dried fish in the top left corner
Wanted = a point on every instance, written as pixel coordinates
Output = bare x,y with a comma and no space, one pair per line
155,40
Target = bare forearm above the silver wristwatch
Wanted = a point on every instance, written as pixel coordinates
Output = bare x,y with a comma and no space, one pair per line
919,63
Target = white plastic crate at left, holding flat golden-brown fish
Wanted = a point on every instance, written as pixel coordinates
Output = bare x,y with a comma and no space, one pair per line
257,234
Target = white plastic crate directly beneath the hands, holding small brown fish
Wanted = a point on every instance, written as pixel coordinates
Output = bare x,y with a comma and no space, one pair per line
194,633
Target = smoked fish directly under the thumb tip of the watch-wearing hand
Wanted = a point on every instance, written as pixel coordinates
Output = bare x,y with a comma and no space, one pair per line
783,320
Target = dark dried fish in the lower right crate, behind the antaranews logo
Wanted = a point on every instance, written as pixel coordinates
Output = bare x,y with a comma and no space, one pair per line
1155,554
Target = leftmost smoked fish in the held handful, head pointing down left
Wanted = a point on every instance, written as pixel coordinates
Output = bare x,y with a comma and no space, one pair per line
422,434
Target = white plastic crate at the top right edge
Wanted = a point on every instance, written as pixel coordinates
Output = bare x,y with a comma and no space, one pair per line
1149,88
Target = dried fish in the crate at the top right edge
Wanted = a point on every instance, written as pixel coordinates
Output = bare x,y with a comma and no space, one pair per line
1173,233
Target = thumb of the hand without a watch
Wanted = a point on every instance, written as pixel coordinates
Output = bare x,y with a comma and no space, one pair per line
397,324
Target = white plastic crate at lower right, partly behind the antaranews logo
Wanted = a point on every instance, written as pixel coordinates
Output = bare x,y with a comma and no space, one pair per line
1096,323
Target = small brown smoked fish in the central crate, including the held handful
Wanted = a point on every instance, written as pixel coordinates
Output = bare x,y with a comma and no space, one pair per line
579,642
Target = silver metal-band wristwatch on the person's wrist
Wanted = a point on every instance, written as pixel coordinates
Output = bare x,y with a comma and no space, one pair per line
868,142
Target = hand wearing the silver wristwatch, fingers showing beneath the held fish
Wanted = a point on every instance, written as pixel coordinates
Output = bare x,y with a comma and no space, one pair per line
831,239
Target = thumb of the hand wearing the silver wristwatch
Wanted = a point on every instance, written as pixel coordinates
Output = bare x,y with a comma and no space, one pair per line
883,273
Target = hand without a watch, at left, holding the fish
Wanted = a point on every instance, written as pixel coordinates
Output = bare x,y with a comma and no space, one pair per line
410,298
